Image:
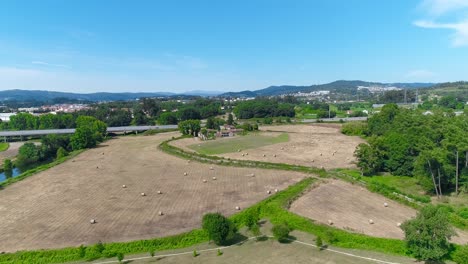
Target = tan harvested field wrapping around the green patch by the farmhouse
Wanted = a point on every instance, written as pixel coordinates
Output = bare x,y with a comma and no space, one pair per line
314,145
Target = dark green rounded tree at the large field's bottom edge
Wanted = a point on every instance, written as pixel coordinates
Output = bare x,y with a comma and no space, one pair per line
218,227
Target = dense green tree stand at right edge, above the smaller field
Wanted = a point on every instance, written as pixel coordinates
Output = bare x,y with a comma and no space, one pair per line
431,147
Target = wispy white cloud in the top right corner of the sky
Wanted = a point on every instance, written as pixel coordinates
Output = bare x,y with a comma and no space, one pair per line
438,8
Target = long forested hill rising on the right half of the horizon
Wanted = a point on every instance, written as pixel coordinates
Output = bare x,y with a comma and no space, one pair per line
341,86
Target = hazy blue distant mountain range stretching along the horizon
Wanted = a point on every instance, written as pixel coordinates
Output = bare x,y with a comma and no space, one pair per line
337,86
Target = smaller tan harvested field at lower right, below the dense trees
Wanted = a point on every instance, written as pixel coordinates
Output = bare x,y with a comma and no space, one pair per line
351,207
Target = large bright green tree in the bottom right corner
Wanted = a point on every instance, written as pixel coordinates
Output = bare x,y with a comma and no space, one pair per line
427,236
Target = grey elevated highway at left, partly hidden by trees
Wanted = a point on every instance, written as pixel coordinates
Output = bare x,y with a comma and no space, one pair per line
72,130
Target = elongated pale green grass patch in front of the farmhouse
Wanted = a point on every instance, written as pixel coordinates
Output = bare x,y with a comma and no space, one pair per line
228,145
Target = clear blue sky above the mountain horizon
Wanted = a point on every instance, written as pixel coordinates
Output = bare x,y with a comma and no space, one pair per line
175,46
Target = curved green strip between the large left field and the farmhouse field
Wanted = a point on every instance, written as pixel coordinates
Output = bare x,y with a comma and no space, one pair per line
170,149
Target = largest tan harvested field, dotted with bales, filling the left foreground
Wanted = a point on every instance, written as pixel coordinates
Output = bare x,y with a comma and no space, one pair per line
53,209
